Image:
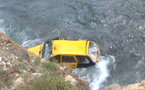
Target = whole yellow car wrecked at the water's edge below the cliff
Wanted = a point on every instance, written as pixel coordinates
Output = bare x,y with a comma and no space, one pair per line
76,53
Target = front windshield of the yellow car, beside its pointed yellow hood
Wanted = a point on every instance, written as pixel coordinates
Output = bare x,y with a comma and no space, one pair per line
47,50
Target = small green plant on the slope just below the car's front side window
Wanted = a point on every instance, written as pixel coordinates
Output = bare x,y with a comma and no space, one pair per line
49,66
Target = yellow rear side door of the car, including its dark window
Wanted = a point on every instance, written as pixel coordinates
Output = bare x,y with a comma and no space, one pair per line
69,60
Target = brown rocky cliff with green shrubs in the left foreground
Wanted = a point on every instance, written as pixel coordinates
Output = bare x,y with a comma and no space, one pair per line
22,70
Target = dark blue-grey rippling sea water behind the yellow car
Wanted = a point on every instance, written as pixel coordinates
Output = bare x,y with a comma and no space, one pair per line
118,26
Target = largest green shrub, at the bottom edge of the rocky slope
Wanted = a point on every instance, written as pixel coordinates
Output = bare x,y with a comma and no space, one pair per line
51,81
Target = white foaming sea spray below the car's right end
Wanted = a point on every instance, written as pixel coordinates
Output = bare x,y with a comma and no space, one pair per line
97,74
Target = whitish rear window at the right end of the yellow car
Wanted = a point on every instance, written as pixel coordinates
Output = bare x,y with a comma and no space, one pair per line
93,50
